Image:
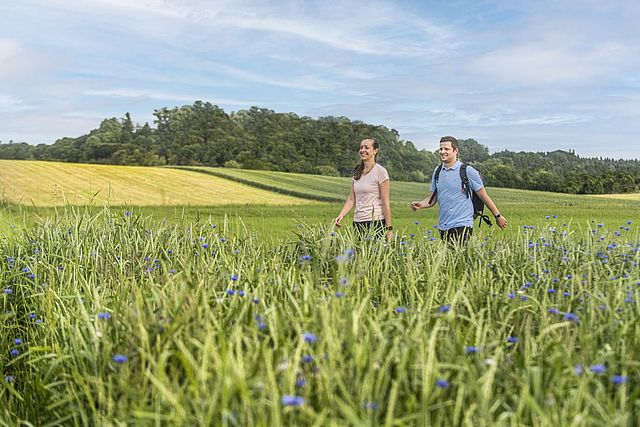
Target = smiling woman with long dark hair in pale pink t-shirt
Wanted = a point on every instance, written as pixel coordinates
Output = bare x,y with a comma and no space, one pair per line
369,193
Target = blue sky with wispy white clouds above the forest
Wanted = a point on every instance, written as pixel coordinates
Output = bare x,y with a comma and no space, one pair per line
517,75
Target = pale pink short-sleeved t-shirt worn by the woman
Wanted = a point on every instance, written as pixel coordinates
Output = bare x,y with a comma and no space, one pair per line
367,190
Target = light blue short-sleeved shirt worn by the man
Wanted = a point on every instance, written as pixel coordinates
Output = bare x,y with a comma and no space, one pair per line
456,209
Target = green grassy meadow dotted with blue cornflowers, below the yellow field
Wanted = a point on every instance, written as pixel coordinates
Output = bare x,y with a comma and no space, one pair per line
250,314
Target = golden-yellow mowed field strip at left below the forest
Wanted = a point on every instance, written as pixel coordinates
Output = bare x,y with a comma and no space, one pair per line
56,184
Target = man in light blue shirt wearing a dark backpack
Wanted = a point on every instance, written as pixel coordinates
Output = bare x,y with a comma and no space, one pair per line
455,217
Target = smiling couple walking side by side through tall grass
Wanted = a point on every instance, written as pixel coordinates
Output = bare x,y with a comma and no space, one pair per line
454,185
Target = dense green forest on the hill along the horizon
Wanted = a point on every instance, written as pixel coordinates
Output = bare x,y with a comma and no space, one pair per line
258,138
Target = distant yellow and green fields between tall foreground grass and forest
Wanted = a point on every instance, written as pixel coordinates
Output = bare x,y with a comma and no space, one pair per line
34,189
